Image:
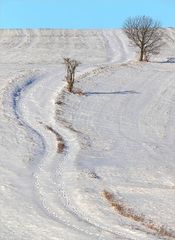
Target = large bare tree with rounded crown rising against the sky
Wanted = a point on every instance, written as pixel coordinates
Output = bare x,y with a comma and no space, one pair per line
144,33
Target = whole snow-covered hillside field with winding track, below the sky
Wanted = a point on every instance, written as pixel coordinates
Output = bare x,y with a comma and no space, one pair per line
114,178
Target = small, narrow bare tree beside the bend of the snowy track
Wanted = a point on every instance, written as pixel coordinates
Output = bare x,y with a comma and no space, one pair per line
71,66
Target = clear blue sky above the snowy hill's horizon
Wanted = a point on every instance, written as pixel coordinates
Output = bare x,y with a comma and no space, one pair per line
81,13
